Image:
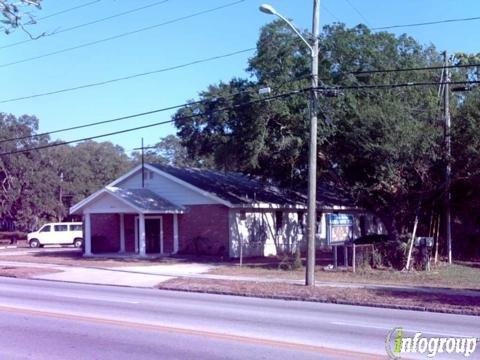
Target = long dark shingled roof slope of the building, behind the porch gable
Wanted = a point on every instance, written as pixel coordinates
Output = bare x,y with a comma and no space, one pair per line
239,189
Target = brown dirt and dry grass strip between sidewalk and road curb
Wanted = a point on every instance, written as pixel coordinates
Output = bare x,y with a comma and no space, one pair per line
368,297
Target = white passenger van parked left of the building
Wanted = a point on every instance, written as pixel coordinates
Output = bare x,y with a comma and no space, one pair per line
57,233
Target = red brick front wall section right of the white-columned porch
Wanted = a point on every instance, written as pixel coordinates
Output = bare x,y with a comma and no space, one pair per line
203,229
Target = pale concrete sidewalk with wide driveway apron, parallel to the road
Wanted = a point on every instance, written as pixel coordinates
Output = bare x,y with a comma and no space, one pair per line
151,275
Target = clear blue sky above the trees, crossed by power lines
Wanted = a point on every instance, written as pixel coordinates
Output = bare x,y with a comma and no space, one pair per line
216,33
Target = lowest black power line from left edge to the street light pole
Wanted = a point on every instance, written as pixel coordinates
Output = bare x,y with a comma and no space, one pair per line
282,95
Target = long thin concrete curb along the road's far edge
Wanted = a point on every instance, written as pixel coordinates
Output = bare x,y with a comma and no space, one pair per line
332,301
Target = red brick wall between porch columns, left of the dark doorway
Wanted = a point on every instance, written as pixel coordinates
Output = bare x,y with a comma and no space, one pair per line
105,233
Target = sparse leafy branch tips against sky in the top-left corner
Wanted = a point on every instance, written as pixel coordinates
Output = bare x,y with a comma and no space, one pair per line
13,13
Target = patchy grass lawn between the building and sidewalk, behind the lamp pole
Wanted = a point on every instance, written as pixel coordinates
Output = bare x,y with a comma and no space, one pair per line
459,275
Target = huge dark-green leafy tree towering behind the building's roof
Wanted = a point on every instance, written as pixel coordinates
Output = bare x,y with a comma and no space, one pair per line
380,146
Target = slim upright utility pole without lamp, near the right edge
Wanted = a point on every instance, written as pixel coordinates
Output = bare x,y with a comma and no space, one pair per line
448,150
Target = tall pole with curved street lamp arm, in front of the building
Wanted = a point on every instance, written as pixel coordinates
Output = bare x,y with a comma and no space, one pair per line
312,162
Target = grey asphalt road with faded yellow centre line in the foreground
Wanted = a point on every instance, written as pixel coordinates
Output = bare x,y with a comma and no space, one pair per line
52,320
